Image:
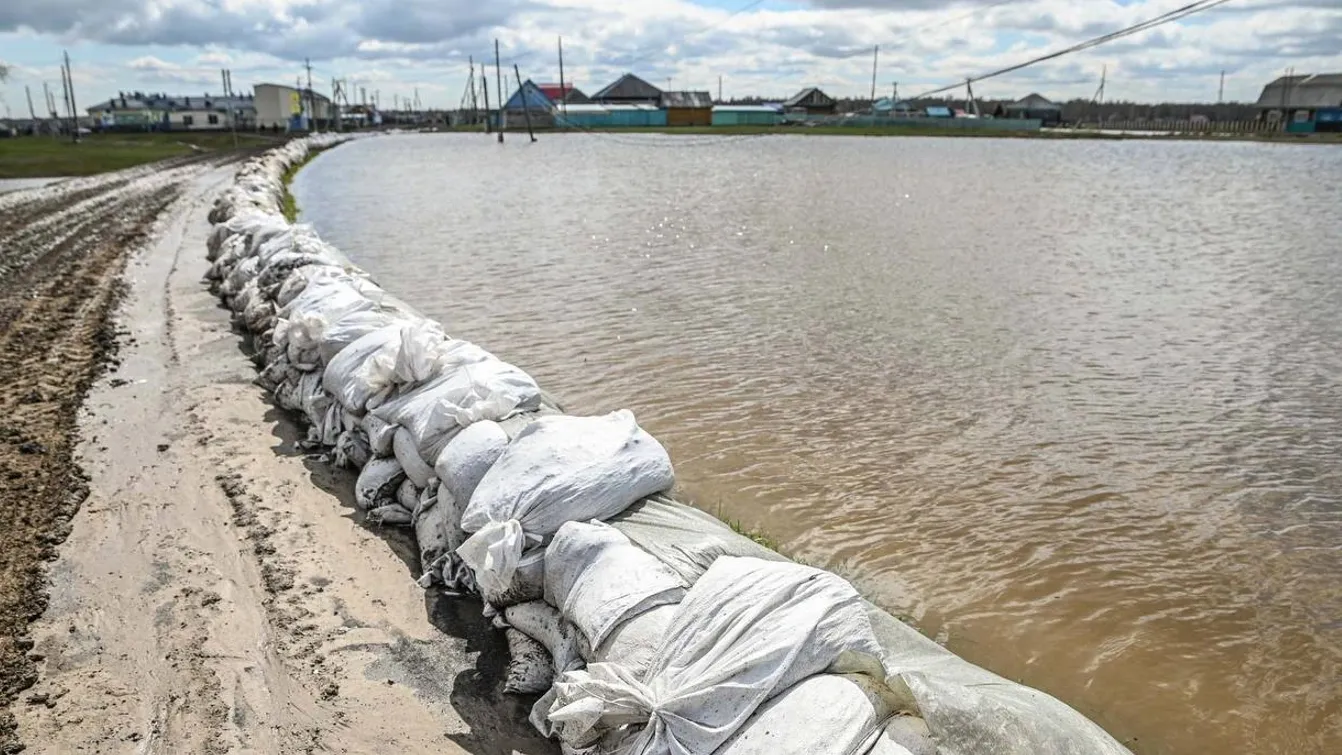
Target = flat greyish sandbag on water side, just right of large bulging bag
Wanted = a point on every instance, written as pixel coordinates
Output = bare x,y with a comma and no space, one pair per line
685,538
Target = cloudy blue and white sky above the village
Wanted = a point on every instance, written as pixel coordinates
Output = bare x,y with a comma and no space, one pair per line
762,48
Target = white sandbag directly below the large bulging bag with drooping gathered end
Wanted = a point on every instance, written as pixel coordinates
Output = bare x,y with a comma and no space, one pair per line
598,579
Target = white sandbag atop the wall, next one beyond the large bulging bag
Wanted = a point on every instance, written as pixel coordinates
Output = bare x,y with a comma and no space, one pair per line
481,391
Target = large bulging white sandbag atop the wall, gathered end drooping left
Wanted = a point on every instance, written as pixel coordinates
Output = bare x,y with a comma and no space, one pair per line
558,470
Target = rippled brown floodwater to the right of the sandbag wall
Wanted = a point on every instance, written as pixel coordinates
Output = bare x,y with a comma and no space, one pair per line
1073,408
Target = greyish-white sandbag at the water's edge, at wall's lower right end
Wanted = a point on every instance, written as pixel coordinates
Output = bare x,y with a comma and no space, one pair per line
971,710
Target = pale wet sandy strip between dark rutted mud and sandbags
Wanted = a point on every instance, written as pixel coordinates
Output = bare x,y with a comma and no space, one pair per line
219,592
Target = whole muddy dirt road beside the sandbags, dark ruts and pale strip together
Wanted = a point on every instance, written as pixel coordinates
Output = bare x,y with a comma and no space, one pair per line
218,591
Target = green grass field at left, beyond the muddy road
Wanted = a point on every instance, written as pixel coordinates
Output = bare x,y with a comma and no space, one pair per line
38,158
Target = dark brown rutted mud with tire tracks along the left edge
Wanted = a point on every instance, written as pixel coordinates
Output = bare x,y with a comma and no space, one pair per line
61,261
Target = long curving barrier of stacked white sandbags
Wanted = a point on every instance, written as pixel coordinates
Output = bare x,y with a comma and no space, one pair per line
648,627
